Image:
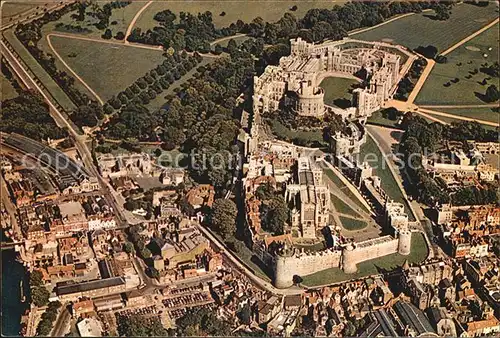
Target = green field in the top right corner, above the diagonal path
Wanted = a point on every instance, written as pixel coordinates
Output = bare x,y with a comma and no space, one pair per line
421,30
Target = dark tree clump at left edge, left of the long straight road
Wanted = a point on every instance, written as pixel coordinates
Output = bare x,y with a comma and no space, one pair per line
28,114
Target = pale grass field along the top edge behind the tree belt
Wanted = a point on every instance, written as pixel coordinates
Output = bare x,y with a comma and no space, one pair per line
235,10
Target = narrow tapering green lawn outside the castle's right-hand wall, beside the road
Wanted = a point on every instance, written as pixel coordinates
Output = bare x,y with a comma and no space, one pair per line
371,153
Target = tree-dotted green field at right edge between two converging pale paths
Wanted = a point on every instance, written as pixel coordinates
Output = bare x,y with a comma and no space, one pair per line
461,62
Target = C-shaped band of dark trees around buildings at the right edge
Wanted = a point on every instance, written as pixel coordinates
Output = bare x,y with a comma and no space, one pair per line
422,137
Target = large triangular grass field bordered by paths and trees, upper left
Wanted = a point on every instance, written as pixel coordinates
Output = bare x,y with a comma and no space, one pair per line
107,69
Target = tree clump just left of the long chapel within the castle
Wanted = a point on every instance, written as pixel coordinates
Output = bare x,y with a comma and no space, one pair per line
274,212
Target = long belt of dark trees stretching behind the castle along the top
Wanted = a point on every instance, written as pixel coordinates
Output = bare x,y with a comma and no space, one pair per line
195,32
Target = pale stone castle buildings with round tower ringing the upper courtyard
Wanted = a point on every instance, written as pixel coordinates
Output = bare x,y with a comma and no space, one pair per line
294,83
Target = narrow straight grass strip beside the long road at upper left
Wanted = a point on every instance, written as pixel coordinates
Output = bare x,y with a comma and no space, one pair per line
35,68
